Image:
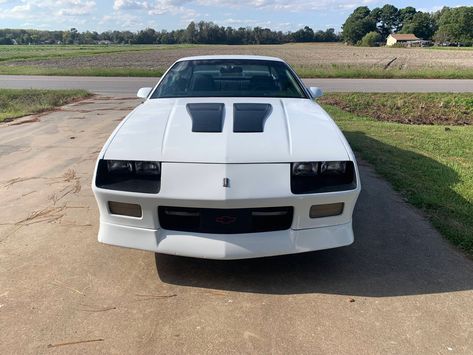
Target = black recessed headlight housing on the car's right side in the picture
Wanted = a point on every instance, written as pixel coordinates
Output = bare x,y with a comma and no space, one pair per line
325,180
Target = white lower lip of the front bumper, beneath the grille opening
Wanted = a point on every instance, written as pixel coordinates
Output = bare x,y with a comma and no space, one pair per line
227,246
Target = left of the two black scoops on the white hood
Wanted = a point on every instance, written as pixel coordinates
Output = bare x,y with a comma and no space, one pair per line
206,117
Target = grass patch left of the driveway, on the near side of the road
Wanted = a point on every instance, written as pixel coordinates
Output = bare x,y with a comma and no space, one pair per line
17,103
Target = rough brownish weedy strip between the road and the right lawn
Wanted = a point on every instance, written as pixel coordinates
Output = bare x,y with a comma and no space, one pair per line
421,108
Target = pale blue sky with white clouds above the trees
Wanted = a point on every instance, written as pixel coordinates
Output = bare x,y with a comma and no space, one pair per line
101,15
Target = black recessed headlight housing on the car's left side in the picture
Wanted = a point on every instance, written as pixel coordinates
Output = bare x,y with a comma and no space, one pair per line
132,176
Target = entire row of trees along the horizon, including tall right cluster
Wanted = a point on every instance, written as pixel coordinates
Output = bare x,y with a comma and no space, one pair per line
363,26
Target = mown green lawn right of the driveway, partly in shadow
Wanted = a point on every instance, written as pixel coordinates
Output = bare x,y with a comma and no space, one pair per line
430,165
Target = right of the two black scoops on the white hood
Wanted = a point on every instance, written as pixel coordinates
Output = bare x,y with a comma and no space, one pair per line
248,118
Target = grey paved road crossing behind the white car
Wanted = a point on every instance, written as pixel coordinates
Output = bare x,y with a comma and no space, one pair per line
129,86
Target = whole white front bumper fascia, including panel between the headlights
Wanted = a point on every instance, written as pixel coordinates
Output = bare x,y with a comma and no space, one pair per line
252,186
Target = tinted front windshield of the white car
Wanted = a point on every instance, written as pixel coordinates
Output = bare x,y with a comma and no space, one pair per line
229,77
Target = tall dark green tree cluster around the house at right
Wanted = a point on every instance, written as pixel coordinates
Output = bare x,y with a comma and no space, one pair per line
448,25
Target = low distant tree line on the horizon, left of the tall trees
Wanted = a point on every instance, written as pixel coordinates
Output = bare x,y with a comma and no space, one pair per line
195,33
